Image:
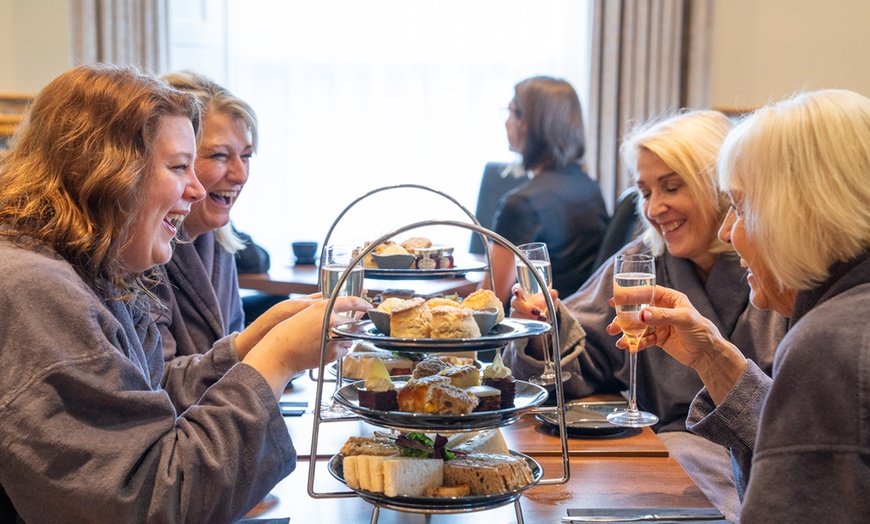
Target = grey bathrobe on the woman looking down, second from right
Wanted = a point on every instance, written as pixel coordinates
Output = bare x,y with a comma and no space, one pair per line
664,386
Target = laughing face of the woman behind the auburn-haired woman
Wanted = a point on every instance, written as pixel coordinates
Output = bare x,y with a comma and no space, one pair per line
222,167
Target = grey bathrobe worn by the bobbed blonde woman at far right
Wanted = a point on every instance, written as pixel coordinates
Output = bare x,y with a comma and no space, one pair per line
805,435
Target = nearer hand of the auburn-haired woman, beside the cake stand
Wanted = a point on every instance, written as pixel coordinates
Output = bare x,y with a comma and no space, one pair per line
294,344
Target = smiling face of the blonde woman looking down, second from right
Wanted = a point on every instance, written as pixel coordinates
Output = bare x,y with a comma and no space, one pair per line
669,206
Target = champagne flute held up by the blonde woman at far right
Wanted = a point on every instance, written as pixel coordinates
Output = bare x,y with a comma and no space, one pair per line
634,280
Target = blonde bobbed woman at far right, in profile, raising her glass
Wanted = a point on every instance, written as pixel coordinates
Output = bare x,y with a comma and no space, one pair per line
797,174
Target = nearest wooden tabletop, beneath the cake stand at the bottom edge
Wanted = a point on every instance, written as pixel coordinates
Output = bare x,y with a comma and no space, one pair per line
595,482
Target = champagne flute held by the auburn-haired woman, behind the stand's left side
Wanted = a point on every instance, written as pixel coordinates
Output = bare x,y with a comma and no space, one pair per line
334,261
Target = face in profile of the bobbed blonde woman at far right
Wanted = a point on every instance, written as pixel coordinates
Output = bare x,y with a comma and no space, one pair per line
764,292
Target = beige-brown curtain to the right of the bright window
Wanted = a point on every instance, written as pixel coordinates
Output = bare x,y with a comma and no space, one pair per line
649,57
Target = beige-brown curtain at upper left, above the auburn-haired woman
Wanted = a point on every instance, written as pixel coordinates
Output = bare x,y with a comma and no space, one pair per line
128,32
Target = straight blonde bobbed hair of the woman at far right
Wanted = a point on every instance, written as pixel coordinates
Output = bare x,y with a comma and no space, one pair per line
802,167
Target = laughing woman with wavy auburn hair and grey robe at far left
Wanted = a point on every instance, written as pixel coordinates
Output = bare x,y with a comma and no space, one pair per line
99,177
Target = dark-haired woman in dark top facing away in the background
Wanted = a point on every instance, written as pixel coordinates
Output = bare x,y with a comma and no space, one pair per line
561,205
